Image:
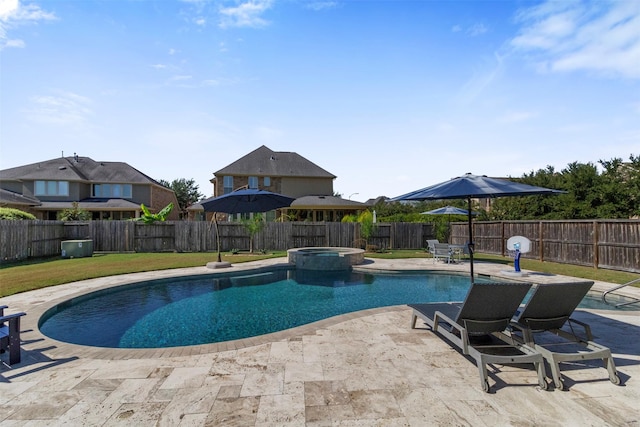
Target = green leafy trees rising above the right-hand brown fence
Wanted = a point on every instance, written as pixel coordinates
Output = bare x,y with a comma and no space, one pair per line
609,189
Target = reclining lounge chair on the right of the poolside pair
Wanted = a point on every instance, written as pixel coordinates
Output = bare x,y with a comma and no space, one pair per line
548,311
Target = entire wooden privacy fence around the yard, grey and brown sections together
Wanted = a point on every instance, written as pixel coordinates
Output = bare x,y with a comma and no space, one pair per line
613,244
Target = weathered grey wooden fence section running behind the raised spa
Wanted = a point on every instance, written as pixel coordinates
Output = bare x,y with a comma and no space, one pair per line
26,239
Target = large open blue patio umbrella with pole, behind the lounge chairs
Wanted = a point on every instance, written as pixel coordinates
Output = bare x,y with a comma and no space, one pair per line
469,187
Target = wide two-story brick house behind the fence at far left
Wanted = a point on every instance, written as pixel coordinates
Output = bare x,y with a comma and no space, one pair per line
109,190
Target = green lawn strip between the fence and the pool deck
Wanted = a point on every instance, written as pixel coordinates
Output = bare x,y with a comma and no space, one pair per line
37,274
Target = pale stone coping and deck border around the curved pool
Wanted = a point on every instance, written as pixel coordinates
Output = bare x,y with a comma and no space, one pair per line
61,293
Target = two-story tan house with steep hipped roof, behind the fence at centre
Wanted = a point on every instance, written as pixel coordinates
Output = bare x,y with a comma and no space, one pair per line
287,173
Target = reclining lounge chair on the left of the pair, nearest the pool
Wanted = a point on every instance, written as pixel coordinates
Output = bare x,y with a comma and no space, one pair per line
473,326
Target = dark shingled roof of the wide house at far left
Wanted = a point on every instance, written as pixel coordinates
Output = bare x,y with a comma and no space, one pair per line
77,169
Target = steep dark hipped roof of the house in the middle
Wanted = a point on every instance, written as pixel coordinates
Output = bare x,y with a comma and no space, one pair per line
266,162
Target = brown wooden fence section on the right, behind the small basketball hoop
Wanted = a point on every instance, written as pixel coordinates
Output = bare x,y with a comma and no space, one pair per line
611,244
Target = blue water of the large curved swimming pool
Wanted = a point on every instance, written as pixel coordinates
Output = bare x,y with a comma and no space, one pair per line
208,309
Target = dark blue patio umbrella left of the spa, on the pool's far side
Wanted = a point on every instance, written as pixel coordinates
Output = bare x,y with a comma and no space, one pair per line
244,201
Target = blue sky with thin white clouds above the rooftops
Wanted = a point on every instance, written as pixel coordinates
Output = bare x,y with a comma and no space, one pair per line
389,96
